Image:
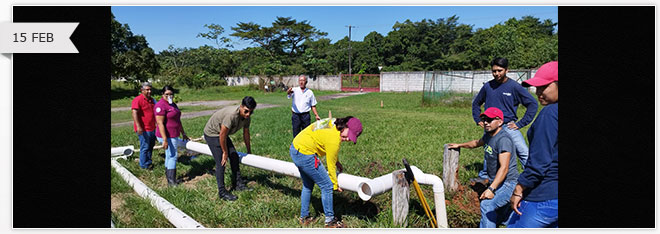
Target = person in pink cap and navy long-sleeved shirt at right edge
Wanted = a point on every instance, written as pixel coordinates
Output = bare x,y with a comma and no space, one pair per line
535,198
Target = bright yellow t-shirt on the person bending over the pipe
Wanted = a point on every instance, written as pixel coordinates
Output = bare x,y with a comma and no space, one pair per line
323,139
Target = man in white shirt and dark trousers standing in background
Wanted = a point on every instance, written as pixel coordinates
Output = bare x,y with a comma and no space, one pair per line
303,101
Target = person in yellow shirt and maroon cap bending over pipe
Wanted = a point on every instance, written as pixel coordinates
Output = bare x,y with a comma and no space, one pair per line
322,138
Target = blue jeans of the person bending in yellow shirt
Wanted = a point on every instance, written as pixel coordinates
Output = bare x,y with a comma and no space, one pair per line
311,176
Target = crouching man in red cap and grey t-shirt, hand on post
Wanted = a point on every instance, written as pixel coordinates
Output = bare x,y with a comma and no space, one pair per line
501,163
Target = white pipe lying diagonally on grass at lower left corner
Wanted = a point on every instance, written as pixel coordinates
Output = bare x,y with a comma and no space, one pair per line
173,214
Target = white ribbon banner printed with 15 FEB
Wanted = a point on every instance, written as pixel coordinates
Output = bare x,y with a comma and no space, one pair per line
37,37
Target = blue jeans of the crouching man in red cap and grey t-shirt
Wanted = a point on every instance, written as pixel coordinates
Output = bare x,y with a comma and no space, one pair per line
497,210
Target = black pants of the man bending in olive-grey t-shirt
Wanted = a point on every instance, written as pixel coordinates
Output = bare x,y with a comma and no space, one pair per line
216,150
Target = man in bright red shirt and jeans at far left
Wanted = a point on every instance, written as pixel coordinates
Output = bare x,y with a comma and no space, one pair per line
144,124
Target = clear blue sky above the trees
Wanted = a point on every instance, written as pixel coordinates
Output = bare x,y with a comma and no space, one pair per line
179,25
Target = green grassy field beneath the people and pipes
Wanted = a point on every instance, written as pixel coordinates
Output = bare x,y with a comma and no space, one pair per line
402,128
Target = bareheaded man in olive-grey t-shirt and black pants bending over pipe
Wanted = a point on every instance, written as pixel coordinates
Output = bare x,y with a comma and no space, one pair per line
223,123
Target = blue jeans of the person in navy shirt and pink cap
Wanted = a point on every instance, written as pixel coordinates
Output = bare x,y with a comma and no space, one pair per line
543,214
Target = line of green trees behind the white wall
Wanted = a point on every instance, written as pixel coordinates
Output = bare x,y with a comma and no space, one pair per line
290,47
